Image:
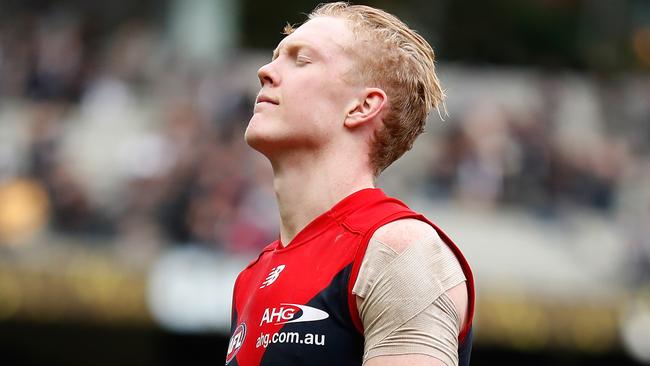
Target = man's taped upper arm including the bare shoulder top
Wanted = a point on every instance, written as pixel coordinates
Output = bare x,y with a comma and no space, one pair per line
399,236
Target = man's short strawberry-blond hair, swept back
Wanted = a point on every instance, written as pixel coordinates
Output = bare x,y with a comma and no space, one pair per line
399,61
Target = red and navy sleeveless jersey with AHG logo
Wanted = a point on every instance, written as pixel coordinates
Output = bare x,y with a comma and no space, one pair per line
294,305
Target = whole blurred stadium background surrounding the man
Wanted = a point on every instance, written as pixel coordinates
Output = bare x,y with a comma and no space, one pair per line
128,200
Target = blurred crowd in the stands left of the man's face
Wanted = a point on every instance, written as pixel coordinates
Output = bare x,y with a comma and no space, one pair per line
184,174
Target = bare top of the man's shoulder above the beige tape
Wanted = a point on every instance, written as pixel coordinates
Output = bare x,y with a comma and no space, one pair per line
400,233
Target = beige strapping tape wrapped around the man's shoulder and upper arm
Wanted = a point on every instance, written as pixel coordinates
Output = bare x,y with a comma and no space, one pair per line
403,305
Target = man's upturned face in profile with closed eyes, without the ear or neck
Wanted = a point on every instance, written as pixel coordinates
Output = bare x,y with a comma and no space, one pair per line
304,96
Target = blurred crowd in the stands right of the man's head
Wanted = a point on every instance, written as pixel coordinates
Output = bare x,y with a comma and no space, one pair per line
556,145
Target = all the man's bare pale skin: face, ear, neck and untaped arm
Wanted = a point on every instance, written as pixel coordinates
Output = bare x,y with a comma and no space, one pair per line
315,124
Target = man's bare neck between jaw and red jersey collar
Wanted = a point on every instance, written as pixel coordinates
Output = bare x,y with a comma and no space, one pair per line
306,188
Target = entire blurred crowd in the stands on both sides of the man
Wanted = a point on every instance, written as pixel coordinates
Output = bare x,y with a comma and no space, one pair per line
122,137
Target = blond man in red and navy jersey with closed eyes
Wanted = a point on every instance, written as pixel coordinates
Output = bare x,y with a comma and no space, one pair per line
355,277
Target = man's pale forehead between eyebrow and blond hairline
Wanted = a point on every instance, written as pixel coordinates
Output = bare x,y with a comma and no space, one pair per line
328,35
